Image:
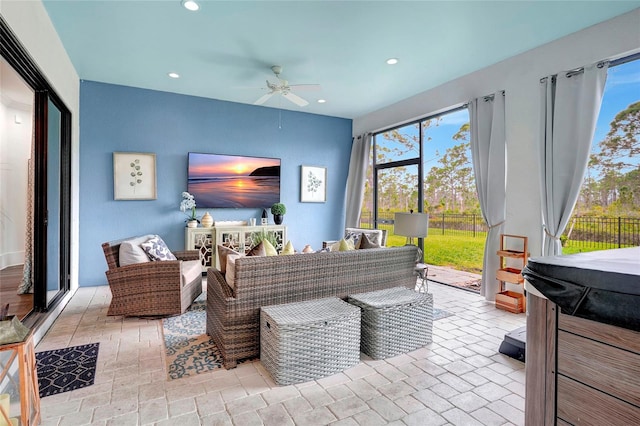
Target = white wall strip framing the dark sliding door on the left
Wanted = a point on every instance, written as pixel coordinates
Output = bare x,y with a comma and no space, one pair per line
30,23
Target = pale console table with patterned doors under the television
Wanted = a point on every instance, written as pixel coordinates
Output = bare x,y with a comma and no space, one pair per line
238,237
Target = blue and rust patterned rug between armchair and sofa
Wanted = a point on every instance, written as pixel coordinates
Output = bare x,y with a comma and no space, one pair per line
188,348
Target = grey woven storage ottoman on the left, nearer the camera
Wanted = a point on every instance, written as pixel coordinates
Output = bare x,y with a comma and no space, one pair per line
308,340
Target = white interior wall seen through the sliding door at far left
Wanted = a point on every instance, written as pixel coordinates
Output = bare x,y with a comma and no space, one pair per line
15,151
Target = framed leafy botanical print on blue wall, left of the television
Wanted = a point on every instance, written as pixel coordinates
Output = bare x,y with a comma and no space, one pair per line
134,176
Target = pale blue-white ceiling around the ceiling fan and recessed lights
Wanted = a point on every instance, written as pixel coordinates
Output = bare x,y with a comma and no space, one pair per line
225,50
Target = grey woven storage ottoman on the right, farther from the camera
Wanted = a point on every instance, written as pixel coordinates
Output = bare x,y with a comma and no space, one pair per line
394,321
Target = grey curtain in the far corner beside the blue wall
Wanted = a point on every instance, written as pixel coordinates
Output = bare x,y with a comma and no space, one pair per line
356,178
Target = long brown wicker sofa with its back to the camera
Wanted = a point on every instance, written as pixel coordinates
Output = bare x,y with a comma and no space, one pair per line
233,315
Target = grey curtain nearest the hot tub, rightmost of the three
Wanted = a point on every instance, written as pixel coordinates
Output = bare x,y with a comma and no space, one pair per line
570,104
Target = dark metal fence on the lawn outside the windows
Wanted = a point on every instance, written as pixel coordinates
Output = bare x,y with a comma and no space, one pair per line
582,231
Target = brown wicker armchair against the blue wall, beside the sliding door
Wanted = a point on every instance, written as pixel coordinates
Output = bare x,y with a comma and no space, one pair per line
152,288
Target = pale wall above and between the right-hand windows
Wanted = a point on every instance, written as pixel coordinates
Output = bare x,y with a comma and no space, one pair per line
520,77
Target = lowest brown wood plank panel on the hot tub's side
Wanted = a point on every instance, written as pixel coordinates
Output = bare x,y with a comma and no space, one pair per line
578,404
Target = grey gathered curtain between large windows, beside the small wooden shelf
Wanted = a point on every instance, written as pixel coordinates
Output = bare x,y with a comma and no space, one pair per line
489,155
